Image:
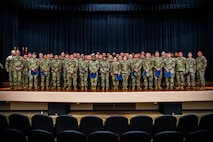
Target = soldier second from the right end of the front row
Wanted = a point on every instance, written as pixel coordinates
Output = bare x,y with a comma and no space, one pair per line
190,70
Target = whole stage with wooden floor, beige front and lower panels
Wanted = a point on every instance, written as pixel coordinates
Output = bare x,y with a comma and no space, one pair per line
107,100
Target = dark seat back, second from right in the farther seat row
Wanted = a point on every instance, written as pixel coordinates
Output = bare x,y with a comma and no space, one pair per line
187,123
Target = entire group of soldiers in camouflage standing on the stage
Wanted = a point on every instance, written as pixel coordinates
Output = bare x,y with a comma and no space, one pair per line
106,71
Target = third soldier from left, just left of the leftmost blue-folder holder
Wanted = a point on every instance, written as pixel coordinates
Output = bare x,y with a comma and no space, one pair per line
25,72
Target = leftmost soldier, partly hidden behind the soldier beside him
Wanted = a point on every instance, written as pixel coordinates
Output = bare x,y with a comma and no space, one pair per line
9,68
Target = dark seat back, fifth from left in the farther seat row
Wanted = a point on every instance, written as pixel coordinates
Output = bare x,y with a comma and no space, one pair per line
90,124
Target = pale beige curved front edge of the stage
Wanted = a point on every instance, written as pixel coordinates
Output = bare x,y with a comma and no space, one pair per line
107,97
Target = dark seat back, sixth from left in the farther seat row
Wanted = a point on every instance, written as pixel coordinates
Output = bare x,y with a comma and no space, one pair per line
117,124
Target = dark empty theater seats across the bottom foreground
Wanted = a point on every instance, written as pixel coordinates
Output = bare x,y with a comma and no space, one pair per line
141,128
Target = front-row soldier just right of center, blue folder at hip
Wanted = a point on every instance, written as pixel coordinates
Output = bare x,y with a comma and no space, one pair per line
115,70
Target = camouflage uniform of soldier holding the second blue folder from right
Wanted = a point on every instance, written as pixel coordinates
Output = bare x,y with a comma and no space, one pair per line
158,63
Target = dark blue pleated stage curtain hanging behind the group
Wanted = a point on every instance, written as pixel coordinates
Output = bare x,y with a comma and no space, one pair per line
86,32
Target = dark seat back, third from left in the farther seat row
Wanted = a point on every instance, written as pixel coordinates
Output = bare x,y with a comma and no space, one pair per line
44,122
